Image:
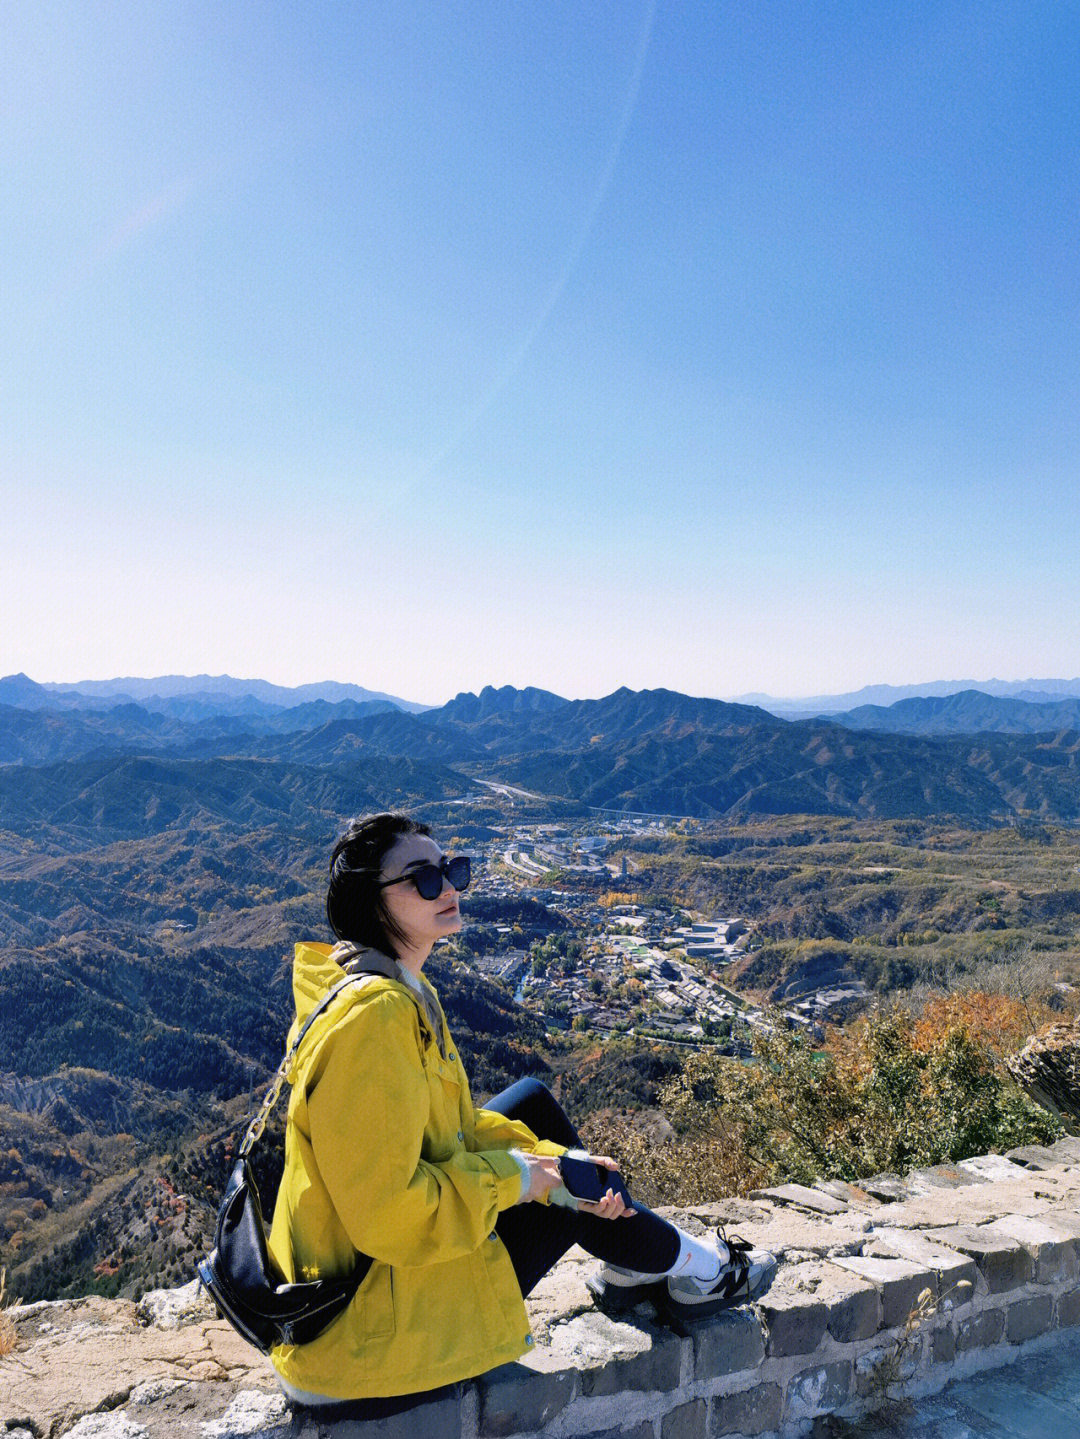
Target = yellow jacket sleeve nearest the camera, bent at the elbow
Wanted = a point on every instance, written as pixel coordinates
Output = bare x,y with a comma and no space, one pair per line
369,1109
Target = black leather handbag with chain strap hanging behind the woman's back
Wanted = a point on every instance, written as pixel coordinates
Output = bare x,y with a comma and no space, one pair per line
239,1273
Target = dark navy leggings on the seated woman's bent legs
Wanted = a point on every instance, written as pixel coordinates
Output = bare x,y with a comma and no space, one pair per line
539,1235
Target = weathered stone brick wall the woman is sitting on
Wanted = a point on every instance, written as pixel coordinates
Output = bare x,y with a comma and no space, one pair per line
887,1290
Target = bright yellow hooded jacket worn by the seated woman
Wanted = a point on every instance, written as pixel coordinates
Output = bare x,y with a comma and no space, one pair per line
386,1155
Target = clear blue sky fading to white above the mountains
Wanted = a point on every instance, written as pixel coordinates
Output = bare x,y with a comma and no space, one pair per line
728,348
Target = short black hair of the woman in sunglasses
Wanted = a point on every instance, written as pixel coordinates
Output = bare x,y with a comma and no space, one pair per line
354,900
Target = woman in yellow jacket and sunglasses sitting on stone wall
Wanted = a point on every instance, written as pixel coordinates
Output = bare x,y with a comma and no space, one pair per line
386,1156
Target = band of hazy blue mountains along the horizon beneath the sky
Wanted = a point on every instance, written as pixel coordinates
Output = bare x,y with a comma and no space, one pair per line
971,756
